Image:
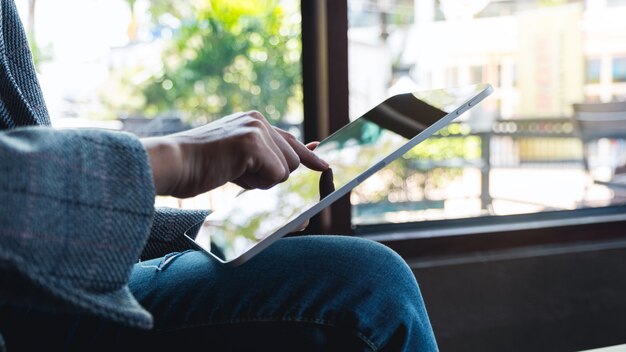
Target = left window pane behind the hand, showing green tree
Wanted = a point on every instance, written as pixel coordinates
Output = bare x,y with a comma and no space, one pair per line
153,67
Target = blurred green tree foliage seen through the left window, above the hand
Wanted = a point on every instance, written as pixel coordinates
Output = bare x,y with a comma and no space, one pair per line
223,57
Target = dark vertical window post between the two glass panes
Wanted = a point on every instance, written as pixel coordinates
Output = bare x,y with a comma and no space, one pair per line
325,90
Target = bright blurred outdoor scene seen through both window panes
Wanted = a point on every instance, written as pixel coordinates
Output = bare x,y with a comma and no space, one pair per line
156,67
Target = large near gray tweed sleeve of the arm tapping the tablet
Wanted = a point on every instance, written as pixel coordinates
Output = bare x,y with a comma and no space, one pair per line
76,208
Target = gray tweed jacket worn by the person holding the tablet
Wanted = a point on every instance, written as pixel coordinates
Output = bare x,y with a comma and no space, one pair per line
76,206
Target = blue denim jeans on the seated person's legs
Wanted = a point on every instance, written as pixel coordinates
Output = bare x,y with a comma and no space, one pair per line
308,293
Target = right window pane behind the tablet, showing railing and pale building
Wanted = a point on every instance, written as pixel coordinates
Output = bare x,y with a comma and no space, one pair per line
518,152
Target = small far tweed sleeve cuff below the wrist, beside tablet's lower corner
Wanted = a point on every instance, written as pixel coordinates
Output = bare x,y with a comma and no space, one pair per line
168,229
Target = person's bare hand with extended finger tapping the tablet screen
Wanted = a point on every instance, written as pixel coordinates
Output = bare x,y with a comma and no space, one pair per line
241,148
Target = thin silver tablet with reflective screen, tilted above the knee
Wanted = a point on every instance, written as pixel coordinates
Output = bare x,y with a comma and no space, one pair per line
257,218
